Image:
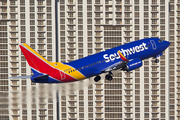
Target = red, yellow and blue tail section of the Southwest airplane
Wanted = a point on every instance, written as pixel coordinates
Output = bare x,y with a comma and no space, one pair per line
44,71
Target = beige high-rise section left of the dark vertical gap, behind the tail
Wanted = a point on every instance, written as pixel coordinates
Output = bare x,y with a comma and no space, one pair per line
31,22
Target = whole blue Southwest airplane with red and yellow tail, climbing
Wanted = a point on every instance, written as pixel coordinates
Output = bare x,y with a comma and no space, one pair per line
126,57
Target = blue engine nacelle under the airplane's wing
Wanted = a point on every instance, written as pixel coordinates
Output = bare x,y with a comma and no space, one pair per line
133,64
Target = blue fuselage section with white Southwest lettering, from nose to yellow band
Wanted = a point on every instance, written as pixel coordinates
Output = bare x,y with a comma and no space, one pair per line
143,49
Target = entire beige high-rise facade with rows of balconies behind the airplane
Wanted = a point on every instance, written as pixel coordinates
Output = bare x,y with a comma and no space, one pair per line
86,27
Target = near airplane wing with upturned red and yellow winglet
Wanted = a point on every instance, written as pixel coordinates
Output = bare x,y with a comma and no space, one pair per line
117,65
